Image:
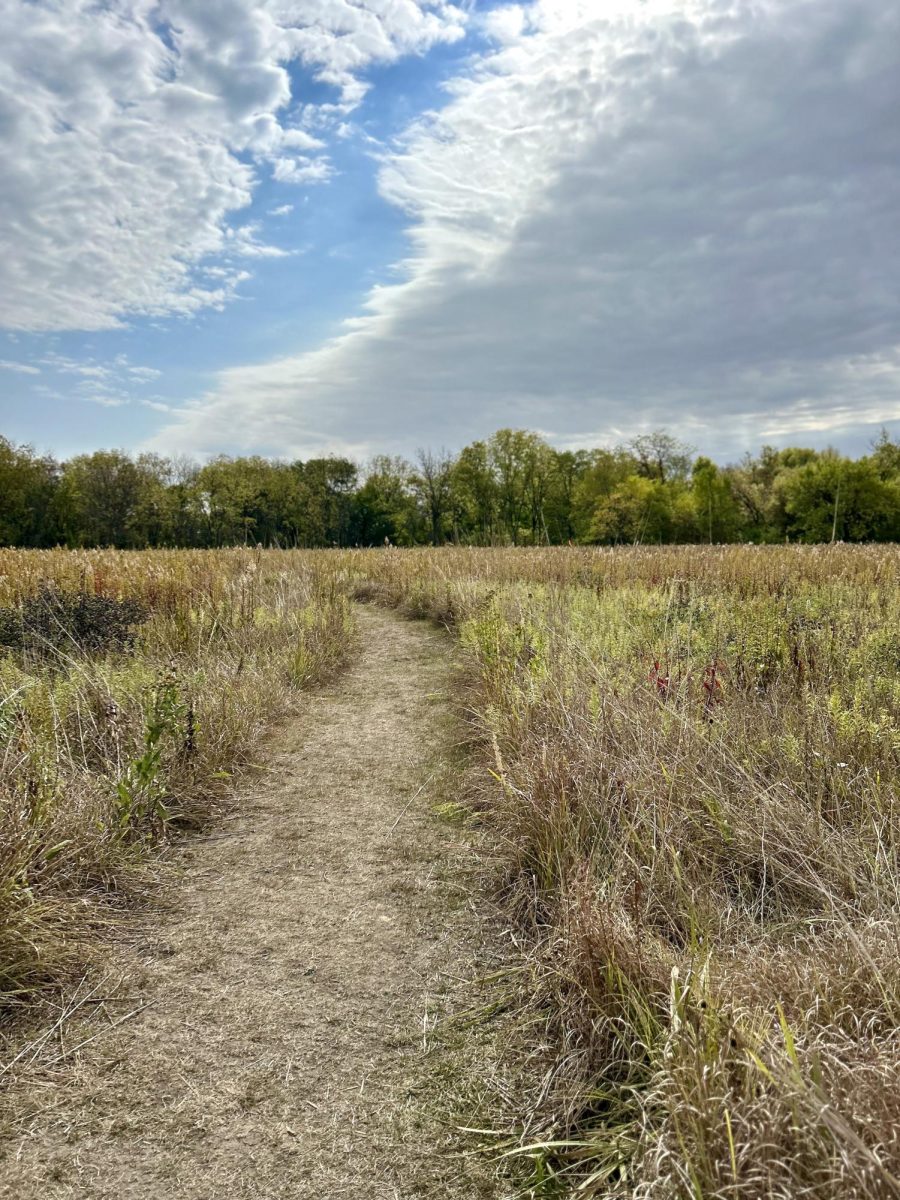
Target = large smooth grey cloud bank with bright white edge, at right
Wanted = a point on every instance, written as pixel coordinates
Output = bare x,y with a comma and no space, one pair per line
626,217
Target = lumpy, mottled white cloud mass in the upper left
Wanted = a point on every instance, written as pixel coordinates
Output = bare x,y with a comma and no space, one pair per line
133,131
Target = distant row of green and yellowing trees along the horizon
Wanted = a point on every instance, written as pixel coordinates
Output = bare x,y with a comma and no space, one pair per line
513,488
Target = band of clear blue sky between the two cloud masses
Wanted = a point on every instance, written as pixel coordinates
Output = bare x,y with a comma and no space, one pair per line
338,245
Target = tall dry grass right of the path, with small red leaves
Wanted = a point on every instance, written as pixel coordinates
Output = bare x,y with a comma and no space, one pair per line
691,760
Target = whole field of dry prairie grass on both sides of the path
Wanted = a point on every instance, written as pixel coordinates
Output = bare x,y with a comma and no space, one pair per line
683,764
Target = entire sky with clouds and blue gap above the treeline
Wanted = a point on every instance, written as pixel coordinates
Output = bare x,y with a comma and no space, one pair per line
307,227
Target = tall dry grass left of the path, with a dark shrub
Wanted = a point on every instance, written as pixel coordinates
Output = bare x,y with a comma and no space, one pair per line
109,742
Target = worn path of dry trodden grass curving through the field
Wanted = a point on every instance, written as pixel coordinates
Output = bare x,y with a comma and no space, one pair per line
295,987
